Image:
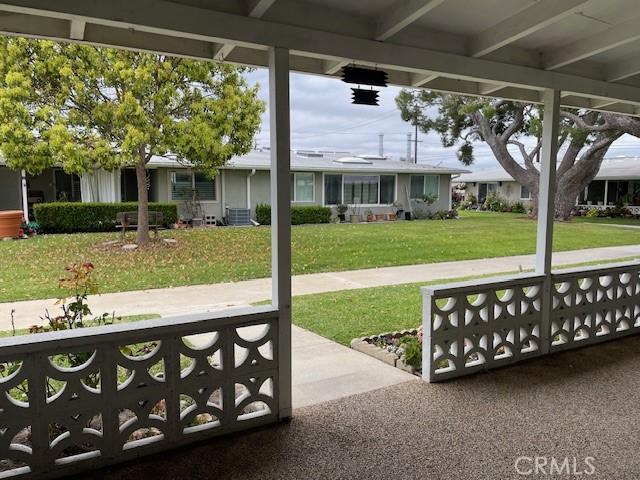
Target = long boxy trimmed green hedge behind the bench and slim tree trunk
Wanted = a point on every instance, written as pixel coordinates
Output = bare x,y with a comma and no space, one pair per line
72,217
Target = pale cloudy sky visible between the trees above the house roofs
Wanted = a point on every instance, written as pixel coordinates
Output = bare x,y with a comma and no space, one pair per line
322,117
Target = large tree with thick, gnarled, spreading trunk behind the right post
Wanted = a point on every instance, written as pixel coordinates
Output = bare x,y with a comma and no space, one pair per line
584,138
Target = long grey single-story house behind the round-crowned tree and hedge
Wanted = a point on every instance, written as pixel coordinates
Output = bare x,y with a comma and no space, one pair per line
318,178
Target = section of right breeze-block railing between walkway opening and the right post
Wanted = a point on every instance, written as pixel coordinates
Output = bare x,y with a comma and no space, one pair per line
482,324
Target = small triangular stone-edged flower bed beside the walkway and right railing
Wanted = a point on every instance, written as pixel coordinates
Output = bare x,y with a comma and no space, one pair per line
401,349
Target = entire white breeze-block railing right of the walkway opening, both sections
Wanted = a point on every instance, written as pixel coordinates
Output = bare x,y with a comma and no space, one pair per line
484,324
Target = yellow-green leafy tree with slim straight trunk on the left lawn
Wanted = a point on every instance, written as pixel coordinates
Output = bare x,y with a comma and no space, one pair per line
85,108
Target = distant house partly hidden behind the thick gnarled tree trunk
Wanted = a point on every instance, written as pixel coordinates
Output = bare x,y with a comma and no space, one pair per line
618,181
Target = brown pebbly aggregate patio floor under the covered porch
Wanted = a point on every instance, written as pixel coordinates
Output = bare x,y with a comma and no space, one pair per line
575,404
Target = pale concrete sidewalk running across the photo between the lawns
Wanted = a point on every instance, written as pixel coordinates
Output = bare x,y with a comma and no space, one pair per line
199,298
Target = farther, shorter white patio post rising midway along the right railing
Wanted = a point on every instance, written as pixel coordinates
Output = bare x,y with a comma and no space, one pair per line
546,206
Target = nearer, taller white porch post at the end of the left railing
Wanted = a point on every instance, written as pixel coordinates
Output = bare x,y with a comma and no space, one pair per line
281,217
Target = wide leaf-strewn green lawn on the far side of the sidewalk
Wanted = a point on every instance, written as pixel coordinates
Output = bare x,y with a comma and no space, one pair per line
30,268
